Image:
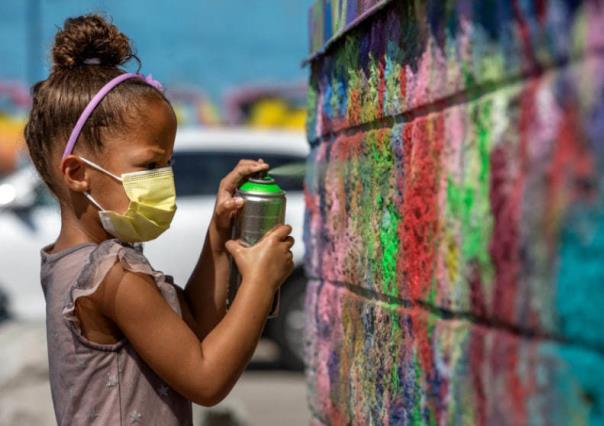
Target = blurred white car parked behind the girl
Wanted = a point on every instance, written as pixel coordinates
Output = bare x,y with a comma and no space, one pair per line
29,219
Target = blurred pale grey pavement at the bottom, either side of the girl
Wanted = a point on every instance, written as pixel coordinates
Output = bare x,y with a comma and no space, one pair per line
263,396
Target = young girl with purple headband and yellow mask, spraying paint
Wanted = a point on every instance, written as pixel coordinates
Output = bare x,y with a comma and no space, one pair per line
124,344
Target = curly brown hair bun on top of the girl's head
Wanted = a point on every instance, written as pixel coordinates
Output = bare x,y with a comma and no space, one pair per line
89,39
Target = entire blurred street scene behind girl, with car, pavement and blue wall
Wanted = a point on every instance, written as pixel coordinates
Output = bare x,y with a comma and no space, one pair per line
232,69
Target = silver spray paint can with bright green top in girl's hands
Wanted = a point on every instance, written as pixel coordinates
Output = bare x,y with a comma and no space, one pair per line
264,208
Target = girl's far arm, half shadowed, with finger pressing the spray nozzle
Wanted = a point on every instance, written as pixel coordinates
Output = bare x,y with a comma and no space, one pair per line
207,289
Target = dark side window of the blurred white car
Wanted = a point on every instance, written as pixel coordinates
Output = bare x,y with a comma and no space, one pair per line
200,173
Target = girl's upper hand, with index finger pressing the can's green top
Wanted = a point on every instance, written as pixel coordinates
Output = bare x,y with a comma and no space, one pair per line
226,204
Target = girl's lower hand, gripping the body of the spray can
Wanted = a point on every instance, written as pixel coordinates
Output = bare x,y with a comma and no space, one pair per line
269,260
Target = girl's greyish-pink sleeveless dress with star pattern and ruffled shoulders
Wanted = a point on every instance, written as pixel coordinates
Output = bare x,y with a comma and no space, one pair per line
102,384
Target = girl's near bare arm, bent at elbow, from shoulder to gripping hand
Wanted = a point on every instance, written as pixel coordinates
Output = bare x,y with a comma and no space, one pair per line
204,372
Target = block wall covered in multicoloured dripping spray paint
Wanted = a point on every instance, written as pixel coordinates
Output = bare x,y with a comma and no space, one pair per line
455,212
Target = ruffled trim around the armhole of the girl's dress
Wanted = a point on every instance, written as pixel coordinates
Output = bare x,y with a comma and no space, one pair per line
100,262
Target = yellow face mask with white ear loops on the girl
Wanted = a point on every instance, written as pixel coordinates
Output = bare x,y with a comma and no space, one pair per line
152,196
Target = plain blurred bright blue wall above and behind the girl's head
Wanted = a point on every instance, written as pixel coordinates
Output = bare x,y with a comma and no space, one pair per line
213,44
